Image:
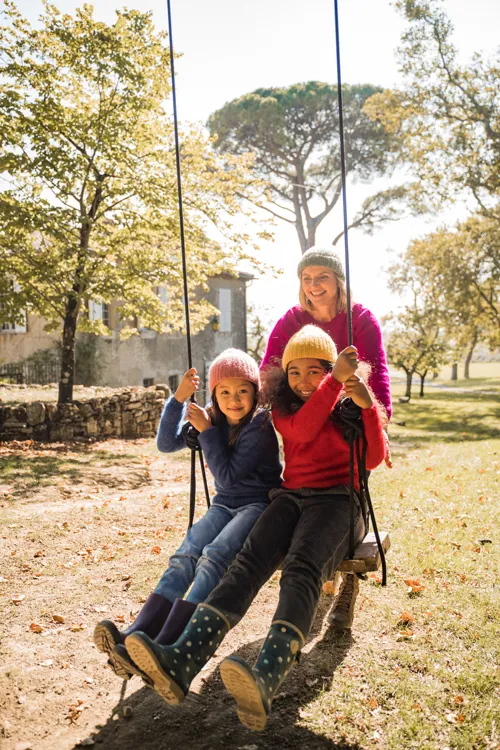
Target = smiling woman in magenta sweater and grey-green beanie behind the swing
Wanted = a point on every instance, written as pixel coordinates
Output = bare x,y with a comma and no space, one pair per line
323,302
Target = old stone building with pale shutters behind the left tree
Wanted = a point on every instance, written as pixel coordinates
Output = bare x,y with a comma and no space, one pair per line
148,358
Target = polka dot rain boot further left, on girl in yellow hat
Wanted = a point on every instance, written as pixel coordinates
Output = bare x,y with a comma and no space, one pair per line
172,668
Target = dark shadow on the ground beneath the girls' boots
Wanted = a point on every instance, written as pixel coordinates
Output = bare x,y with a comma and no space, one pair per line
208,720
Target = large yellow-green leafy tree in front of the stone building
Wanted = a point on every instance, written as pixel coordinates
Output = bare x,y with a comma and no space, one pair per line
89,209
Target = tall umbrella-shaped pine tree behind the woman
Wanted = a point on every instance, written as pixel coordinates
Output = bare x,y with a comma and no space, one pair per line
292,134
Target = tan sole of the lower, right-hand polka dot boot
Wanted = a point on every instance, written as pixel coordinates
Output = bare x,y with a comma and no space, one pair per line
240,682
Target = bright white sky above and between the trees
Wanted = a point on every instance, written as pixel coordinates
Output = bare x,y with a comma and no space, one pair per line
230,48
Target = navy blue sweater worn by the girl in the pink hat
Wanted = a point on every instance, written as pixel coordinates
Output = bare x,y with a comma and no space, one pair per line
245,472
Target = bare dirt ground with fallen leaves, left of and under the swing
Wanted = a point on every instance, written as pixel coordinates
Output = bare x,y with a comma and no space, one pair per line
85,533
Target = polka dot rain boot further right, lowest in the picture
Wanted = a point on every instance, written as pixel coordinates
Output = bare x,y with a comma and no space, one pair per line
254,689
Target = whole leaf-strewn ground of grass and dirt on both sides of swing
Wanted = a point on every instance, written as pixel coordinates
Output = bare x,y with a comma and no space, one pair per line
85,531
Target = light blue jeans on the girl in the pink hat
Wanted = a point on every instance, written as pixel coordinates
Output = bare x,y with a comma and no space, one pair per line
208,548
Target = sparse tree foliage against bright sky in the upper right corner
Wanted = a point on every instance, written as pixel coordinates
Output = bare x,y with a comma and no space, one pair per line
446,116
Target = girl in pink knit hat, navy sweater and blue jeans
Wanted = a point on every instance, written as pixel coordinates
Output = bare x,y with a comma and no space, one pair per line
241,450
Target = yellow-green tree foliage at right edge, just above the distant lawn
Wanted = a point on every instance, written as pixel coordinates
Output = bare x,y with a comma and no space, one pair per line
452,281
